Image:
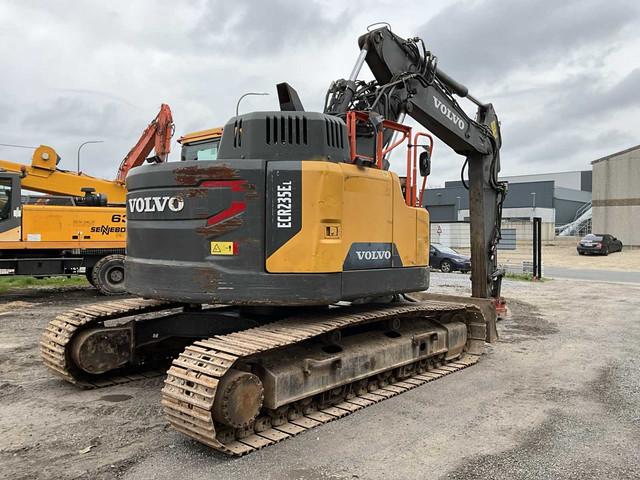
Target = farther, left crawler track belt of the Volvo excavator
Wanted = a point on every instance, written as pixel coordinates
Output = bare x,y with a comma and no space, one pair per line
57,336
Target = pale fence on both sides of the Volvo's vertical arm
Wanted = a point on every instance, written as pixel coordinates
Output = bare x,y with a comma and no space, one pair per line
515,250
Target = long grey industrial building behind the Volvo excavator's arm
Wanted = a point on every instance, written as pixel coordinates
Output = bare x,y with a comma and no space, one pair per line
555,197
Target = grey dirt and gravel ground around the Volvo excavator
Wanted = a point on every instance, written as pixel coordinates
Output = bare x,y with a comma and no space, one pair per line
557,397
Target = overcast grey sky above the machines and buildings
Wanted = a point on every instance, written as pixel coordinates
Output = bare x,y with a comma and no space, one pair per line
564,77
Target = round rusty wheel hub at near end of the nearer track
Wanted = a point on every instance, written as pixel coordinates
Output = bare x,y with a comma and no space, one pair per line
239,397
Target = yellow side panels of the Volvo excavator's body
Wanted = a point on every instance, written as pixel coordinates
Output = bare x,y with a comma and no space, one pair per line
342,205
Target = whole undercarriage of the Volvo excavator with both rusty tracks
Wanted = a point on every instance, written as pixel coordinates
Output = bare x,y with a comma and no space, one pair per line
250,380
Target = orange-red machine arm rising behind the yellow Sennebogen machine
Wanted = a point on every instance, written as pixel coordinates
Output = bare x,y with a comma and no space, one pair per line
156,136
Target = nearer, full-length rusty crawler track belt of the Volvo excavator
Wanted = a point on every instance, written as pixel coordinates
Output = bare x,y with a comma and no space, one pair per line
190,387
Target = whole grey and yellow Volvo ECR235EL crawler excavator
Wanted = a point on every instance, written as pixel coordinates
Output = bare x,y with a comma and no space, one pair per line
286,278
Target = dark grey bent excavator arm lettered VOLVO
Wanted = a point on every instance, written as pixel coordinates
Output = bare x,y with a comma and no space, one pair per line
408,81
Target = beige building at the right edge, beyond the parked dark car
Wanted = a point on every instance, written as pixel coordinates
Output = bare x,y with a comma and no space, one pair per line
616,195
